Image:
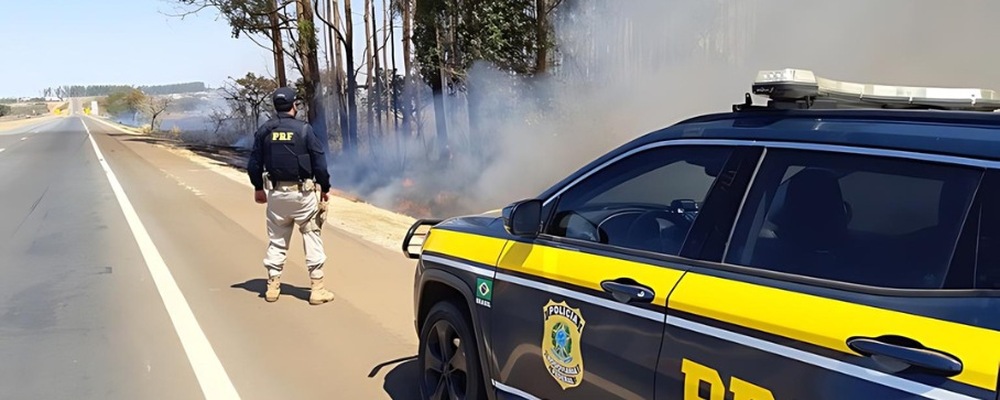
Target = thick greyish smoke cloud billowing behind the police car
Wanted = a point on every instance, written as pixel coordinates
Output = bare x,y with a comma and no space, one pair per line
628,68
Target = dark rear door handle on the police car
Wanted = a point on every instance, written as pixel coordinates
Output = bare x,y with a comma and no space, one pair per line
911,355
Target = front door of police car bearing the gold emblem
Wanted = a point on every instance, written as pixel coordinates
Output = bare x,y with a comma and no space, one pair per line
578,311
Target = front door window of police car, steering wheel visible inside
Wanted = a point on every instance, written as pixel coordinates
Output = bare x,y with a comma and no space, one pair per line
647,201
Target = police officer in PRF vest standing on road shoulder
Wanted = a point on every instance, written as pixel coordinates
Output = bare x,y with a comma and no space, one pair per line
288,160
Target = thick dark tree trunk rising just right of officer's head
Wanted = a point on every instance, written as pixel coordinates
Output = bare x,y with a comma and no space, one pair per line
310,71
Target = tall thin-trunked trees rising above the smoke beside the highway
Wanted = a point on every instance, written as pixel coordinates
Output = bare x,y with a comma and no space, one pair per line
373,97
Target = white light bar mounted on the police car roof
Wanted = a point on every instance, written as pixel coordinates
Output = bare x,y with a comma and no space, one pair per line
793,85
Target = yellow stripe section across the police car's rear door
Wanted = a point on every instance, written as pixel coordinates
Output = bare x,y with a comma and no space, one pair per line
829,323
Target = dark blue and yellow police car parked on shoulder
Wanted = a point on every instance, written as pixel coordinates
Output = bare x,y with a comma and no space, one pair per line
840,242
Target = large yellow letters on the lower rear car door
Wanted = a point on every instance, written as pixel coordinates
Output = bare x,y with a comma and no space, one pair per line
695,374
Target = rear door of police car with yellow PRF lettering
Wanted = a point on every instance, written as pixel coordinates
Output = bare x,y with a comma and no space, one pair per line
846,276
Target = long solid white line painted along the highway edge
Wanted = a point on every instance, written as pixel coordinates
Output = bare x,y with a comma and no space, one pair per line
212,376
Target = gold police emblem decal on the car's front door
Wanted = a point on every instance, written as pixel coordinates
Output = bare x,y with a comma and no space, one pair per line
561,343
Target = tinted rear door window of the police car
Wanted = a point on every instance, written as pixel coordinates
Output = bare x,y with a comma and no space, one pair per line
851,218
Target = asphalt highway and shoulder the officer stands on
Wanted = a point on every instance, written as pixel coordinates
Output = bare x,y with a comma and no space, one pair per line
131,272
